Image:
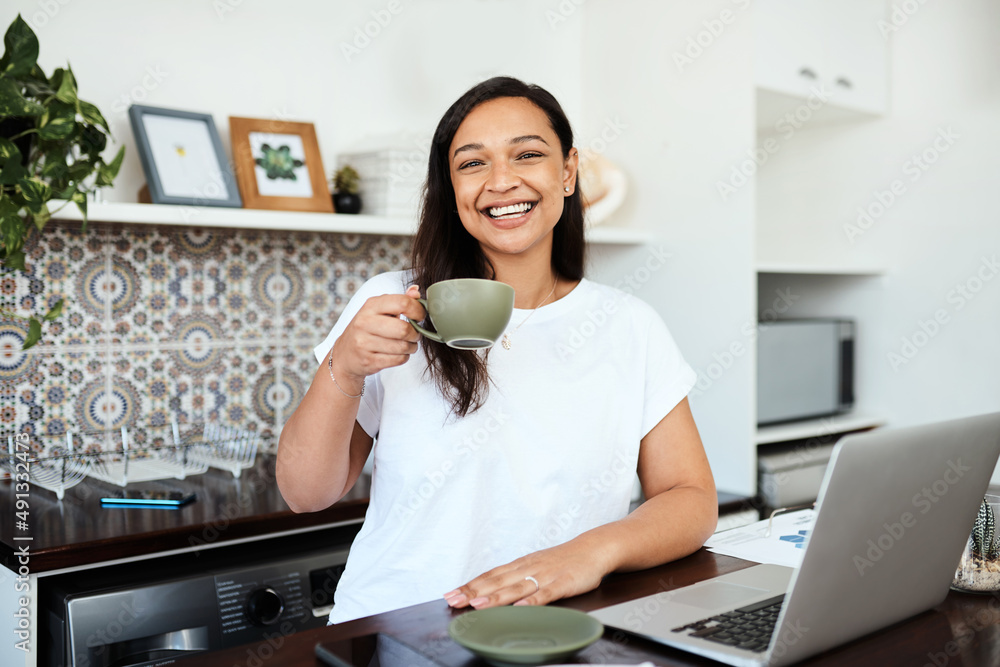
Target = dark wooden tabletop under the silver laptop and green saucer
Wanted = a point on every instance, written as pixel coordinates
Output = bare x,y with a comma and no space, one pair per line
963,630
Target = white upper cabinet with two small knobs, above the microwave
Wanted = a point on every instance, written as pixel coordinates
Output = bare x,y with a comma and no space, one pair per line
828,53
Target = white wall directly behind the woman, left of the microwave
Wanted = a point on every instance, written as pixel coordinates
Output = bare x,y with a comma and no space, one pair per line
687,126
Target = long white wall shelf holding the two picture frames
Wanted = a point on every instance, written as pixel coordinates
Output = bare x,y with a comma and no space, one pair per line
243,218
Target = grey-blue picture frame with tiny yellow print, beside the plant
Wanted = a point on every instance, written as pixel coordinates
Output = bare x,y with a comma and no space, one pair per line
182,158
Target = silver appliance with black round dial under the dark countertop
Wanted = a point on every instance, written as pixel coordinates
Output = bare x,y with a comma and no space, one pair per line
151,612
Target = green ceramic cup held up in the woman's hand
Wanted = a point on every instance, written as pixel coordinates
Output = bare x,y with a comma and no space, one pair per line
468,313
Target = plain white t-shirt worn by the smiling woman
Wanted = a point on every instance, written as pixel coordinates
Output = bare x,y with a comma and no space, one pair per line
550,455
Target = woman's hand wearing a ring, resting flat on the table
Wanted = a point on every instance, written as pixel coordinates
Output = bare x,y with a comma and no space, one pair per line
562,571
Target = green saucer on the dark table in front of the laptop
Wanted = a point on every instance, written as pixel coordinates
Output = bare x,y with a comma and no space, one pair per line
525,635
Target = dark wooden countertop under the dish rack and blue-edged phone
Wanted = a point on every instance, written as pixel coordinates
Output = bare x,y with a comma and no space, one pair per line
77,531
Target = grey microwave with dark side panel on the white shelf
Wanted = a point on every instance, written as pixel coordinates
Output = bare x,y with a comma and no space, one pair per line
805,369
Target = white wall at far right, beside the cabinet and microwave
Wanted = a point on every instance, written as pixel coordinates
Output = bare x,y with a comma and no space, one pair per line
932,238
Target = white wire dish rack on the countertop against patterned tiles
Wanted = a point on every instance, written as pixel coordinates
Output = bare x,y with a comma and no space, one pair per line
176,456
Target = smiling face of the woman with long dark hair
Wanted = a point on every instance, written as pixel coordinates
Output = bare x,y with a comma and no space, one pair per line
509,175
